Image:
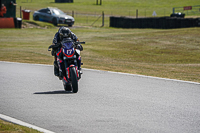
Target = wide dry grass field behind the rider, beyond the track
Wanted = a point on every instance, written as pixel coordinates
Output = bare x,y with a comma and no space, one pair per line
173,53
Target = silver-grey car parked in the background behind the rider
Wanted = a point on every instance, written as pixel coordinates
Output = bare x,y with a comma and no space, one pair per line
53,15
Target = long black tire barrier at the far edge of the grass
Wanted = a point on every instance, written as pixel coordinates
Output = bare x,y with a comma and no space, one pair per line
155,22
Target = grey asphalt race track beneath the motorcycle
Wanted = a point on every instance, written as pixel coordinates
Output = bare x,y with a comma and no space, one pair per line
107,102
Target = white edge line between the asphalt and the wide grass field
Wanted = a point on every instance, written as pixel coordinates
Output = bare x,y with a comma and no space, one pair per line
144,76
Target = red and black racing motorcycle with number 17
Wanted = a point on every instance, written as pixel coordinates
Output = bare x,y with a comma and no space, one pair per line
69,72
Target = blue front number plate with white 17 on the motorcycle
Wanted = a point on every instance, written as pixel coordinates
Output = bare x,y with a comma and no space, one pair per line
68,49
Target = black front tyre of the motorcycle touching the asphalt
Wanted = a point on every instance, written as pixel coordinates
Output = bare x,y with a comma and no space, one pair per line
74,80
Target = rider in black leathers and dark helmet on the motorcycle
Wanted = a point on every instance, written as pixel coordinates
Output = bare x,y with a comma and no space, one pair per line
64,32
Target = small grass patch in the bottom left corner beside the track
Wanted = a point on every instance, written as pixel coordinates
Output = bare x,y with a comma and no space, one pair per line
6,127
